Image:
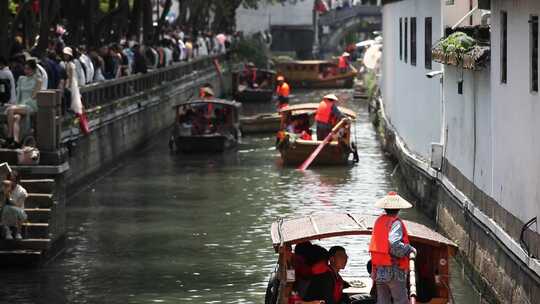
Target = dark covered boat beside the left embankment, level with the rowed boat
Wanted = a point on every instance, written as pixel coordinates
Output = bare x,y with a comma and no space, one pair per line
206,125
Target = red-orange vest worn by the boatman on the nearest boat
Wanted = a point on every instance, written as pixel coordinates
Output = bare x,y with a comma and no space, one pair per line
379,248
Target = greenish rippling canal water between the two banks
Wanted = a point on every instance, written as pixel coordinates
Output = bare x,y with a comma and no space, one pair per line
166,228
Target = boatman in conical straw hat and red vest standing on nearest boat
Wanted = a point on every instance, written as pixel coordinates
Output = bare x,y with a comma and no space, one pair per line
390,249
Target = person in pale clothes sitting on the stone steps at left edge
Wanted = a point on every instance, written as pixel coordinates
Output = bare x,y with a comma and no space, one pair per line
12,213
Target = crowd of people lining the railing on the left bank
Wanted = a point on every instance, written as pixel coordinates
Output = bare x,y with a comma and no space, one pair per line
66,68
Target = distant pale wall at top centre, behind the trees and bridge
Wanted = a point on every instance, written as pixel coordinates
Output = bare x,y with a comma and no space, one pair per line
251,21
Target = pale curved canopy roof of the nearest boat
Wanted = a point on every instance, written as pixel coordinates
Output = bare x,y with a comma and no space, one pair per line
326,225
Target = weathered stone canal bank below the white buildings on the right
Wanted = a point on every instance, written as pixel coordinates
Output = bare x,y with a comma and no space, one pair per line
500,272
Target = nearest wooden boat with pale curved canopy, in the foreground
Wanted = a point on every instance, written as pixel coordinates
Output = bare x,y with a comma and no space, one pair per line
432,281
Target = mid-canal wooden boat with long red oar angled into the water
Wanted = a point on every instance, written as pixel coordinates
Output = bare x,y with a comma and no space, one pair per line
294,150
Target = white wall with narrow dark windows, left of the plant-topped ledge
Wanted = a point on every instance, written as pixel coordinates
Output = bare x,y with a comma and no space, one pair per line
412,101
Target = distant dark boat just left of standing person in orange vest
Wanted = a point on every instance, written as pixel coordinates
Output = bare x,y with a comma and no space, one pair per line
261,91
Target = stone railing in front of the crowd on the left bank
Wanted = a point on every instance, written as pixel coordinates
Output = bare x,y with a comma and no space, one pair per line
103,100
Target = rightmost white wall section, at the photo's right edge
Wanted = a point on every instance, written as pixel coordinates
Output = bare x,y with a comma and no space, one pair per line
516,114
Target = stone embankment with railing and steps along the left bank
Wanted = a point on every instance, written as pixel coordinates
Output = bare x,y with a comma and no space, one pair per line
123,115
